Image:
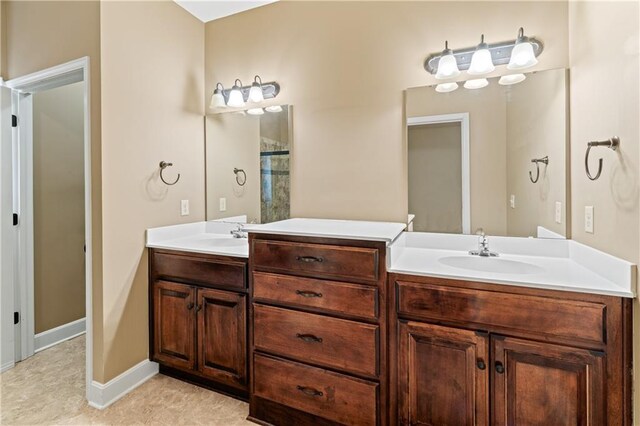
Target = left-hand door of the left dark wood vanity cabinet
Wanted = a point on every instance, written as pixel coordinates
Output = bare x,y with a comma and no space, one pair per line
174,324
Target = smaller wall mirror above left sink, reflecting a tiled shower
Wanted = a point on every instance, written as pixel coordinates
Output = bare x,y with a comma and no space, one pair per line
248,159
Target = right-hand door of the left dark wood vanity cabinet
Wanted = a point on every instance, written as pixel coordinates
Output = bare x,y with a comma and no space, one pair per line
222,329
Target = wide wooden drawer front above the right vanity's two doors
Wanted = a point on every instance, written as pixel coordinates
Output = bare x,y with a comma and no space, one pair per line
525,313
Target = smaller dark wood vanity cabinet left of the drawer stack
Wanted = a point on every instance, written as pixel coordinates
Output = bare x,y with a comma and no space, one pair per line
198,319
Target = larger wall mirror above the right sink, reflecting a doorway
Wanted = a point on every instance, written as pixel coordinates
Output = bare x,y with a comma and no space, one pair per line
493,158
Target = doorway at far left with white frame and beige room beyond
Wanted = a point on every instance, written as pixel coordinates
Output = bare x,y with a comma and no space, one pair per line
51,208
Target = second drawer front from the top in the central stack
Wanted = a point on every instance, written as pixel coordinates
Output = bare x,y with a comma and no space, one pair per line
331,296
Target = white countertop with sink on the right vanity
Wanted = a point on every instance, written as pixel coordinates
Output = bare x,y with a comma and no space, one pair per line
552,264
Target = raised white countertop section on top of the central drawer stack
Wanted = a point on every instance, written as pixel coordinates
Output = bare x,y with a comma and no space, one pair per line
328,228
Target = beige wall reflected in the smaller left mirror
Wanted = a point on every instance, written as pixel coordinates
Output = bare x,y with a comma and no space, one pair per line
233,140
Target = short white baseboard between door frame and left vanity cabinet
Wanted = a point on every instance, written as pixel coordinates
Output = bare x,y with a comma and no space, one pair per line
100,395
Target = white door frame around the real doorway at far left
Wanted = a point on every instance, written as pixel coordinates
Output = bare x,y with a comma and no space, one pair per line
22,91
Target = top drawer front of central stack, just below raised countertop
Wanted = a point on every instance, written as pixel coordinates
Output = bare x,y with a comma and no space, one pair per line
317,260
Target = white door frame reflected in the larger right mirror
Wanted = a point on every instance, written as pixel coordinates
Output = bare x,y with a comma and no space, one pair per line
463,119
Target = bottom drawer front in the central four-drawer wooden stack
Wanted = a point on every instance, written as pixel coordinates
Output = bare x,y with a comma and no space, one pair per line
330,395
